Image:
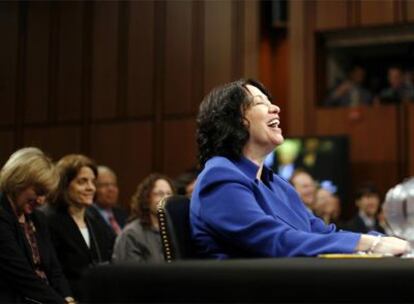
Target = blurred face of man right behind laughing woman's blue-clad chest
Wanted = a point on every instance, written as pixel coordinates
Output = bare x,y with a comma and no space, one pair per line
305,185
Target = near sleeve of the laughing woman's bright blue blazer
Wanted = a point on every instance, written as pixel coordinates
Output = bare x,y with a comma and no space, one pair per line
232,212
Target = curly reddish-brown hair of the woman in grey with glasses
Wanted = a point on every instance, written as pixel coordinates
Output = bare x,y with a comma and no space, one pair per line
140,201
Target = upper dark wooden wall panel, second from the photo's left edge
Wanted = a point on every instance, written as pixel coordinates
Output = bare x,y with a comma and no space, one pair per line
37,62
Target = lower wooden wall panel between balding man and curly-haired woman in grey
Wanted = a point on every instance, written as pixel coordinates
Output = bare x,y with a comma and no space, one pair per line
127,149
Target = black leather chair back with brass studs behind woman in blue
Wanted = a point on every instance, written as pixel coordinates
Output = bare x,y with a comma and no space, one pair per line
174,220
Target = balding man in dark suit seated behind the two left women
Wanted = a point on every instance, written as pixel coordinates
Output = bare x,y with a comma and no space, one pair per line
106,199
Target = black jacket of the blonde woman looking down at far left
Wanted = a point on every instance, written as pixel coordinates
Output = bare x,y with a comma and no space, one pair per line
18,280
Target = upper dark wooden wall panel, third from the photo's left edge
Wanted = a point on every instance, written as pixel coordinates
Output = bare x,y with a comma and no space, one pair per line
70,61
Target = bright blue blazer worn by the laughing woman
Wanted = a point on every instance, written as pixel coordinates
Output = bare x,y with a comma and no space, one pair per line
233,215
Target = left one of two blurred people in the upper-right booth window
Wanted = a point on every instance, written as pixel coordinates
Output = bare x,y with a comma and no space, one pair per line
351,91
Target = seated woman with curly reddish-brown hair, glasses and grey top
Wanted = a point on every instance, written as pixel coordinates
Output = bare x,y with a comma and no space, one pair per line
140,240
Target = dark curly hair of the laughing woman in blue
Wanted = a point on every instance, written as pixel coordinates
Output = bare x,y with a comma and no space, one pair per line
220,123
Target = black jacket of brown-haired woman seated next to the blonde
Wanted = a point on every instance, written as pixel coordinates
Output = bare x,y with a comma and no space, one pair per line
71,248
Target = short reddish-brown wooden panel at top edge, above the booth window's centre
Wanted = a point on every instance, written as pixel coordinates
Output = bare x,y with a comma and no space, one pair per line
377,12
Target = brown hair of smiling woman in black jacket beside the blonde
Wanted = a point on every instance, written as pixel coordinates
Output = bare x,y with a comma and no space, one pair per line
69,167
